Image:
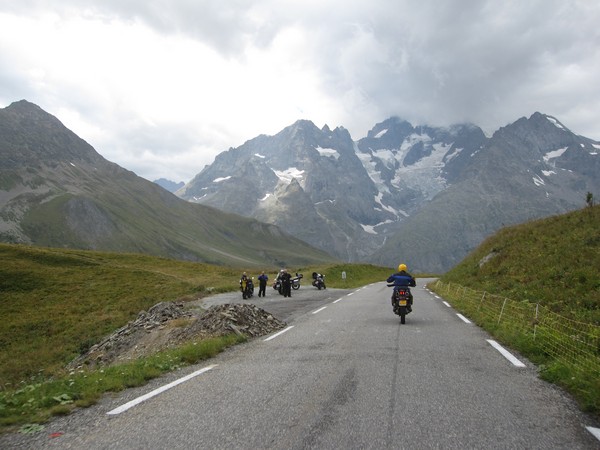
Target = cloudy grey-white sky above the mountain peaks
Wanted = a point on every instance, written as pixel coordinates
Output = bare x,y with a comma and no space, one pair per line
162,86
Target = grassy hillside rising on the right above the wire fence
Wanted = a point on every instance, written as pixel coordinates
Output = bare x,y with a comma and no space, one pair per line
552,261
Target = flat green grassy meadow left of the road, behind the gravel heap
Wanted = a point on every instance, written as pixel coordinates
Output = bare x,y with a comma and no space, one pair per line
56,303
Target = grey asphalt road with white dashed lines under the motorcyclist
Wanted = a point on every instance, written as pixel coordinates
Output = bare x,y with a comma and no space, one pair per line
346,375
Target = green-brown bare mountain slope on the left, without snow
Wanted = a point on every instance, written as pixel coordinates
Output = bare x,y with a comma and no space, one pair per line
57,191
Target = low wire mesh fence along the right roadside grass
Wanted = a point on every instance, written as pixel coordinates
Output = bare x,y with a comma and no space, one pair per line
575,344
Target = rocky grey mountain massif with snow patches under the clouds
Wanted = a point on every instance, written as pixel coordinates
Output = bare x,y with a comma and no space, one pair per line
422,195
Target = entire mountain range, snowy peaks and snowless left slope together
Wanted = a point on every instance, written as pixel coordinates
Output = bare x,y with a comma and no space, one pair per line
425,196
